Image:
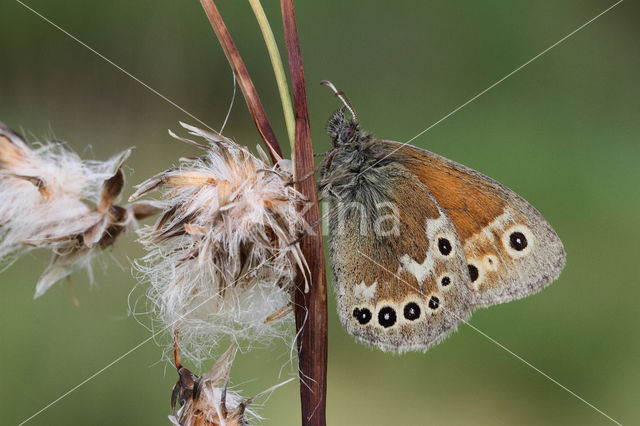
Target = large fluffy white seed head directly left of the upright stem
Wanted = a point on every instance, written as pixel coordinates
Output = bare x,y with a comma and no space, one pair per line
223,257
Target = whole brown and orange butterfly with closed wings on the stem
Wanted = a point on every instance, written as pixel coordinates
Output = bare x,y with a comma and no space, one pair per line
417,241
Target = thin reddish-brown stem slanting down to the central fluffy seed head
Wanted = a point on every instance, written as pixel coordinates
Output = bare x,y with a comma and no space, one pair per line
244,80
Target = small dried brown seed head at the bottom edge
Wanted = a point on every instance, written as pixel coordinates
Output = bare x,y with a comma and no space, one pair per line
207,401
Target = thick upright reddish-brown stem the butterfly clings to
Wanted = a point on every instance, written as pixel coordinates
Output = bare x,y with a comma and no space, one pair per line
311,308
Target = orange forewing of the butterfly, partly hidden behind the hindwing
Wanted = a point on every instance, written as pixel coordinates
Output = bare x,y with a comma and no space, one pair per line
511,250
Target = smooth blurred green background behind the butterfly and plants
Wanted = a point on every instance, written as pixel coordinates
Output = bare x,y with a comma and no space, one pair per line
562,132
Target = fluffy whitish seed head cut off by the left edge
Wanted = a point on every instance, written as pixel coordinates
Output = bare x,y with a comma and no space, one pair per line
53,199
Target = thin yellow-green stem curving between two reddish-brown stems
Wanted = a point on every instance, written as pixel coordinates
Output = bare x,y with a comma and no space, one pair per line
278,69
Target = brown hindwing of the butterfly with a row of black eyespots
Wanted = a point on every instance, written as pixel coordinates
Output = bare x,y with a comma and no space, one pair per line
400,274
